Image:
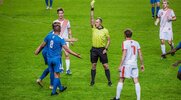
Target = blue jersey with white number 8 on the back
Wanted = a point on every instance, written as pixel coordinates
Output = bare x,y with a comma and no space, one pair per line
54,45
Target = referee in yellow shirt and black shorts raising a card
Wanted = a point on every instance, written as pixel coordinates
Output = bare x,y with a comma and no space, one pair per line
100,44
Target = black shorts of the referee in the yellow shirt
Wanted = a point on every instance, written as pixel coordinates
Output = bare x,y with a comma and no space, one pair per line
96,53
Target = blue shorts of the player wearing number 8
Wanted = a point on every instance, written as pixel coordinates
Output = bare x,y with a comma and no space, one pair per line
54,64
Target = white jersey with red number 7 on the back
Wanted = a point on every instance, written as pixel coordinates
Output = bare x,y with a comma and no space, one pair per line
132,48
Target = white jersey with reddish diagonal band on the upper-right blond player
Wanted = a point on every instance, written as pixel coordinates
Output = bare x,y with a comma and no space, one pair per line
165,15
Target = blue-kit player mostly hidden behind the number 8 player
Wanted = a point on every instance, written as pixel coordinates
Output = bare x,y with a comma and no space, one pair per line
46,71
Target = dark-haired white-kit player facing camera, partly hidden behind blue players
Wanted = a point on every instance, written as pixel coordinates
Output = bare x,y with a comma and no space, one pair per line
66,33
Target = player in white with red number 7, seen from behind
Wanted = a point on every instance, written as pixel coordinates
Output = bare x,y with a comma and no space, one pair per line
128,66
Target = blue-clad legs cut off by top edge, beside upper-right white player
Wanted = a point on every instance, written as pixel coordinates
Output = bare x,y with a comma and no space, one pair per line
153,3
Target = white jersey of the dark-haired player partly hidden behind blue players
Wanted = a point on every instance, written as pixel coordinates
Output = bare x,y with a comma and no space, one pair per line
65,33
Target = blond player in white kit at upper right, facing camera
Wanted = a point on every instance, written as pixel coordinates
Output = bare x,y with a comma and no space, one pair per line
165,17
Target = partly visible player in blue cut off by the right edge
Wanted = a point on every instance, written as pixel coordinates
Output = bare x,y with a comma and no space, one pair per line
177,62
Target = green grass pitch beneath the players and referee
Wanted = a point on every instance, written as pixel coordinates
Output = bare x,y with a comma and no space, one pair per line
25,23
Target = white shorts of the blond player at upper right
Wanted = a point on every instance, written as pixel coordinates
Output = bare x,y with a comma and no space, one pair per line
166,35
